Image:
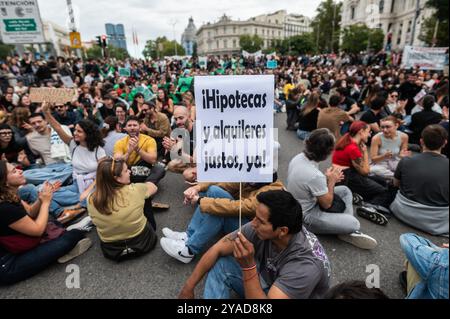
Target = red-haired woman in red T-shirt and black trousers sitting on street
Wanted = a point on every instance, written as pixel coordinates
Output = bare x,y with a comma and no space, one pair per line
352,156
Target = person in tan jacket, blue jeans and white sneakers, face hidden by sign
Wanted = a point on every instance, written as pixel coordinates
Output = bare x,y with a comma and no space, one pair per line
217,213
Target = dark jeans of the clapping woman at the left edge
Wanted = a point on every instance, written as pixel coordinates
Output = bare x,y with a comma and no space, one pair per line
15,268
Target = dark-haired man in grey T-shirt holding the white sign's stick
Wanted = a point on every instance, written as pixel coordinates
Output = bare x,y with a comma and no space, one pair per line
272,257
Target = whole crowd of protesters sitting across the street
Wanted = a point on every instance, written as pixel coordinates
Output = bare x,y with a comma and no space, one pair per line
384,128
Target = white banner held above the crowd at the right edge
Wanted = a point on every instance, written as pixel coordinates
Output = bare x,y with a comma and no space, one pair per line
425,58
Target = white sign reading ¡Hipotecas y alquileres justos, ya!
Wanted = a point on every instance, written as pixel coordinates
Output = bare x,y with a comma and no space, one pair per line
235,137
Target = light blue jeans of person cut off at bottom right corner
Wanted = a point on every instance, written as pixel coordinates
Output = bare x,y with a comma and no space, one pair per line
431,263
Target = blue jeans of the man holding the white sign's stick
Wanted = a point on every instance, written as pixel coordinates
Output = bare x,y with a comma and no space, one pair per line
226,275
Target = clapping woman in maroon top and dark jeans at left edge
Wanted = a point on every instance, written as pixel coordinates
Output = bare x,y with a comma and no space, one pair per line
28,243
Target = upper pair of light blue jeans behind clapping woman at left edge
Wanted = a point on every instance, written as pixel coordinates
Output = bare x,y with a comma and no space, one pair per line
53,172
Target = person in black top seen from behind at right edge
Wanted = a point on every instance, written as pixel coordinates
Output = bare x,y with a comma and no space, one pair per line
422,200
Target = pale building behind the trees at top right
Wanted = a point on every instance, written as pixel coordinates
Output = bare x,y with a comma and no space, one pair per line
402,18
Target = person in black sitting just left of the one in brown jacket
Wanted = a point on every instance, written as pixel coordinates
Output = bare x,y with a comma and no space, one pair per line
308,116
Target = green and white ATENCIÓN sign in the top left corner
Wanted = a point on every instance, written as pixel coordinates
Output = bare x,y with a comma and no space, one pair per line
21,22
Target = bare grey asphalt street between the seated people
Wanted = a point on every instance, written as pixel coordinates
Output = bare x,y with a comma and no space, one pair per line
158,276
